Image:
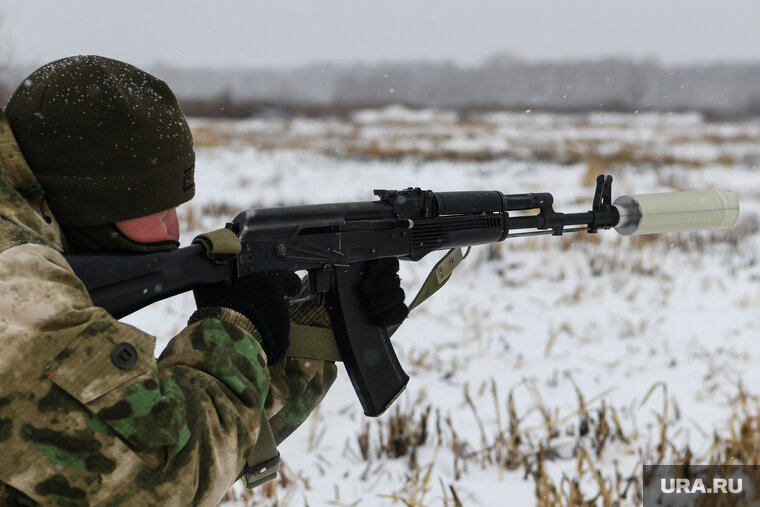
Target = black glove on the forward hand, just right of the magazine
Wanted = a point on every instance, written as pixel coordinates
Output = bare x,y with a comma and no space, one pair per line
383,295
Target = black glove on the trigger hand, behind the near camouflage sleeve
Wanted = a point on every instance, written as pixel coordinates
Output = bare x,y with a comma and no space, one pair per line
263,299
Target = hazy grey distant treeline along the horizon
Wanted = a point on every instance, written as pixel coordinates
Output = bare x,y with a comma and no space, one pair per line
718,90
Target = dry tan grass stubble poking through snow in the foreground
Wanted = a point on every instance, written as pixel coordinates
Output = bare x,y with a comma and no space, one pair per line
595,429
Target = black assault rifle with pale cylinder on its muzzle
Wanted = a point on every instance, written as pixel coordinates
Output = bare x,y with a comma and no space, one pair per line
332,242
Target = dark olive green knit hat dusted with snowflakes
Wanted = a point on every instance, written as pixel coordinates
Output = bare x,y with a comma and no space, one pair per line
106,140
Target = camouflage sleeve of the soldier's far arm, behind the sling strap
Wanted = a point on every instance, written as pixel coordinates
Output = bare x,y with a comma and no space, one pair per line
298,385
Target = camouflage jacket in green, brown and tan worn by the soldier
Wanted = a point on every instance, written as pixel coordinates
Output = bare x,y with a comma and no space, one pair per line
77,427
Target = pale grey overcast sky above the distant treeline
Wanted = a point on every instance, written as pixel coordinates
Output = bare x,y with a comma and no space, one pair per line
287,33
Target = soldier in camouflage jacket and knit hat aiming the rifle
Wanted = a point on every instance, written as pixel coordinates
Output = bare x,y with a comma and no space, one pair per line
88,416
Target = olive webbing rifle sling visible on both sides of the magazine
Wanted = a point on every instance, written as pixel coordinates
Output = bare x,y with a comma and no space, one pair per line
313,342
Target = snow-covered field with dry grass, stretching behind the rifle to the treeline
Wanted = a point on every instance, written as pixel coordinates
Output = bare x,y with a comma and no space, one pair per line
545,362
